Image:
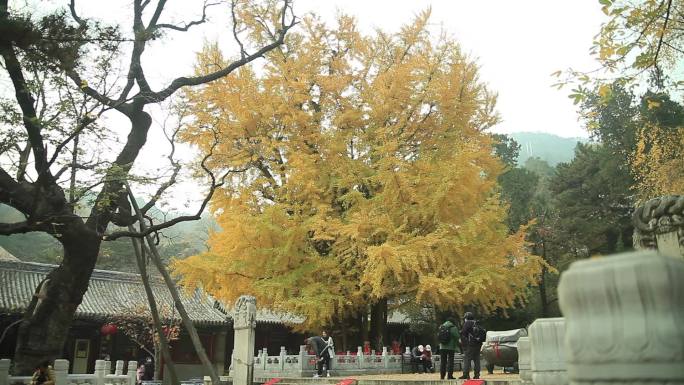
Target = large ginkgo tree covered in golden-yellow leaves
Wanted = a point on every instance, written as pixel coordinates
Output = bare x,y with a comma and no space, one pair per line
362,178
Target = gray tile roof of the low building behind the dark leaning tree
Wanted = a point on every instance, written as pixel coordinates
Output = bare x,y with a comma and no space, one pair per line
110,293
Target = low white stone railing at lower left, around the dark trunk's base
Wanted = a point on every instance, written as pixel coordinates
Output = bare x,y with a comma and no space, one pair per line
101,376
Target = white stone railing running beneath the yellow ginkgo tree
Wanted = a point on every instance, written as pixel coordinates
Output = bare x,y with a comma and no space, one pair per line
304,364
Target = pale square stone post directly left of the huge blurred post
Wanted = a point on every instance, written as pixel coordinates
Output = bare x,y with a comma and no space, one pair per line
547,356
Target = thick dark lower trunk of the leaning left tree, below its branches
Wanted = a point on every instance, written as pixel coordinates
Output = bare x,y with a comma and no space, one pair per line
46,323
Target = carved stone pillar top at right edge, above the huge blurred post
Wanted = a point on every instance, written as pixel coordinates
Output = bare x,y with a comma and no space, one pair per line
659,224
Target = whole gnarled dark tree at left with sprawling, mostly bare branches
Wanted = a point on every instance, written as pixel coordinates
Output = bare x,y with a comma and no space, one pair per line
56,150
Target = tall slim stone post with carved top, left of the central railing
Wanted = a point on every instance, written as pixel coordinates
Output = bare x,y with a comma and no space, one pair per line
244,324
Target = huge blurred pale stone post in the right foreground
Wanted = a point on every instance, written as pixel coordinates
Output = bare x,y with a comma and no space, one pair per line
624,319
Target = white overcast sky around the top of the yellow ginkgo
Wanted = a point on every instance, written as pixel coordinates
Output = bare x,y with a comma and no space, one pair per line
518,44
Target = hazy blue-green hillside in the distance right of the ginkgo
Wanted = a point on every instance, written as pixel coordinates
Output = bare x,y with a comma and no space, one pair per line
551,148
